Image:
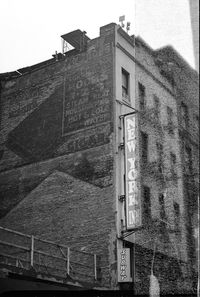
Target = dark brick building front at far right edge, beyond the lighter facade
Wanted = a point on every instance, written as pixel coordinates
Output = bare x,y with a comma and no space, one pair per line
186,85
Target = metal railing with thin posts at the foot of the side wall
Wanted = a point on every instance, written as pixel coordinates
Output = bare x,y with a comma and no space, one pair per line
26,251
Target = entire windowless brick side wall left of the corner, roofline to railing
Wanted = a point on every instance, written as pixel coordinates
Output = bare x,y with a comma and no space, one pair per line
56,143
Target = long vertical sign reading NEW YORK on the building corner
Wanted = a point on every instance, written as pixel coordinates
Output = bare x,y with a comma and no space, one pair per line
133,203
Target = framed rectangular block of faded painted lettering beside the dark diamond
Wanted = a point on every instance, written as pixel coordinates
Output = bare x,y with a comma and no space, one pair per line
87,100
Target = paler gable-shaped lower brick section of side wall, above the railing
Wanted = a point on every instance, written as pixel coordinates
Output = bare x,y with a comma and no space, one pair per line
69,211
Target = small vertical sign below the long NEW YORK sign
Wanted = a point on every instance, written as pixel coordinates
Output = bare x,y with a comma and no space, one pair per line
124,265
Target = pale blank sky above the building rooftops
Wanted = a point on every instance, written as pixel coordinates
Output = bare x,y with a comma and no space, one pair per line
30,29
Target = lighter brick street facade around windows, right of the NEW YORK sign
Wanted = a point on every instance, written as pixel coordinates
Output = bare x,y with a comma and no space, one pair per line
156,127
